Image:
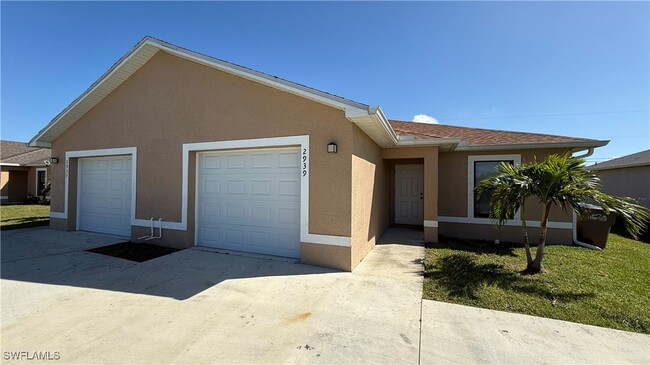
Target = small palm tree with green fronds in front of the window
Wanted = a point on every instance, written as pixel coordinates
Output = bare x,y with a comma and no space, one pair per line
559,180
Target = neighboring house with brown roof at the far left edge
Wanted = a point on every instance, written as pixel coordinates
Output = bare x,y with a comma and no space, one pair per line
23,171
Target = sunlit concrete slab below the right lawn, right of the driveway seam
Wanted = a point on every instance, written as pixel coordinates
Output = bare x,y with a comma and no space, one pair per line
457,334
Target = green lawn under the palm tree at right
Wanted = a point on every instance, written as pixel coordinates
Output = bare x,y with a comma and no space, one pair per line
609,288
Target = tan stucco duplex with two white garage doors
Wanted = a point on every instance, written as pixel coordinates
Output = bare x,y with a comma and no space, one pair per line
235,159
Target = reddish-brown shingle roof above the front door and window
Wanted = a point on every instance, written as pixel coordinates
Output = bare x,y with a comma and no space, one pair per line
477,136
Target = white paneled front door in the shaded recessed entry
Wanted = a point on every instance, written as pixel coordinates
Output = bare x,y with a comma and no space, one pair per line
409,194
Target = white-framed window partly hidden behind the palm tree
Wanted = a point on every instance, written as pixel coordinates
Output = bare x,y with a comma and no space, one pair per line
478,169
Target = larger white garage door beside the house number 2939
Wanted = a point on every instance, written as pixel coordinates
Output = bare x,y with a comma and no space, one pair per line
250,201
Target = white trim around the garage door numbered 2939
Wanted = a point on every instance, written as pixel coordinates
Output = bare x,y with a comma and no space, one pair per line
302,142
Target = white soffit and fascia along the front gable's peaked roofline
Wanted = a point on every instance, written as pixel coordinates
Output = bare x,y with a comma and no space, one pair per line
370,119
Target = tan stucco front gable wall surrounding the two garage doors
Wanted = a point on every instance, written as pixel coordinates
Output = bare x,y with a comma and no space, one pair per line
171,101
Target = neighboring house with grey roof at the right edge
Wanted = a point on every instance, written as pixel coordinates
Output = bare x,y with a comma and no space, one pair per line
627,176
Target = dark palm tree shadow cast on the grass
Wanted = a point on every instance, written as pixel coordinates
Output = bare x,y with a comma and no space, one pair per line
462,276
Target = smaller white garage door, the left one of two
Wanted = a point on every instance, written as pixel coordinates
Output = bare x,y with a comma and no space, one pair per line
105,195
